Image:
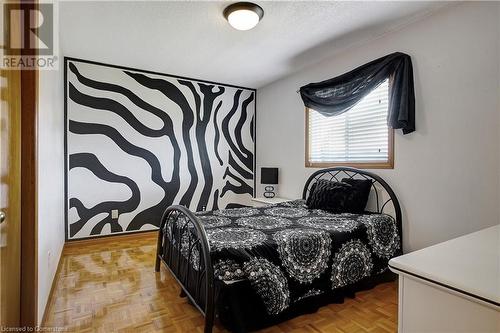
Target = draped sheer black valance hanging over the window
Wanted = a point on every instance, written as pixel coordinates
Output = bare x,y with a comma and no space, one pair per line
336,96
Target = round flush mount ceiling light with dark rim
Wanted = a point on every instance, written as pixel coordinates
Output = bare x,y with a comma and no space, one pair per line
243,15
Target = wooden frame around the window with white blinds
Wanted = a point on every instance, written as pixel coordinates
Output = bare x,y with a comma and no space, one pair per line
389,164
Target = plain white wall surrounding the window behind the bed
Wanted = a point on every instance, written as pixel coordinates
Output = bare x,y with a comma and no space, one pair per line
446,174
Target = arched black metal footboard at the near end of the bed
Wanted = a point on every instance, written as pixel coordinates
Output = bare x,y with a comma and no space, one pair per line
183,248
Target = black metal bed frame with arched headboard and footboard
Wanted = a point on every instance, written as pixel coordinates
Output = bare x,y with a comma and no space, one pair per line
192,266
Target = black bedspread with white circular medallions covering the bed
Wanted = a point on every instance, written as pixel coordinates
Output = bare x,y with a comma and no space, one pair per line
289,252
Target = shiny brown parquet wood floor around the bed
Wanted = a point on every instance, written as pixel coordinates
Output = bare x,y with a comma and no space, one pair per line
110,285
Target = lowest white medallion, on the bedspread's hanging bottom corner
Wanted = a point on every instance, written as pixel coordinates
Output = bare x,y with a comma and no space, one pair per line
270,284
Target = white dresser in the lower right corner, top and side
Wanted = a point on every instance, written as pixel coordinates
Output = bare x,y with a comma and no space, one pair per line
452,286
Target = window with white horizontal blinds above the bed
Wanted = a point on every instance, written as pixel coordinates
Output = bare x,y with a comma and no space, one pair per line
359,137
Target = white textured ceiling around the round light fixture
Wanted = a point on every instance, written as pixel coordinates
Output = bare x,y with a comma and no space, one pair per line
193,39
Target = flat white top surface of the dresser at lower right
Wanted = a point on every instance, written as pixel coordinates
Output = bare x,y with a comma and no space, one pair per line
469,264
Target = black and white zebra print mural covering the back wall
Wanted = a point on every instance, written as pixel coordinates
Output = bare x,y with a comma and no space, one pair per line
138,141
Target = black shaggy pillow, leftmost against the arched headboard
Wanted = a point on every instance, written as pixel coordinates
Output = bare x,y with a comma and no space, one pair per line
332,196
